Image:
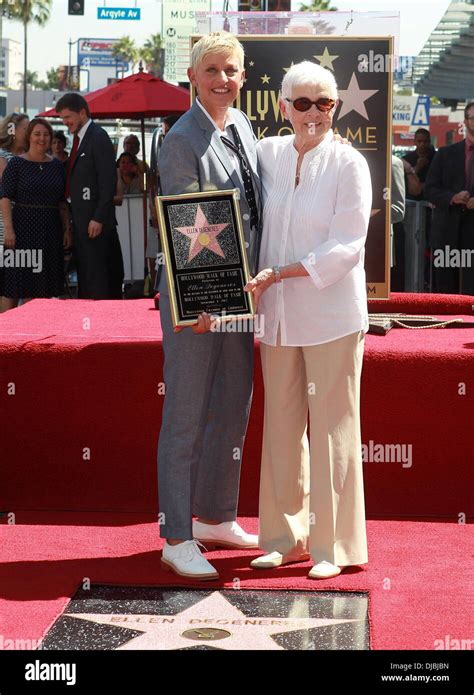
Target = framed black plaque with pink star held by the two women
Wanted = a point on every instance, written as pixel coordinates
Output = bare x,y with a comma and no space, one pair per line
205,256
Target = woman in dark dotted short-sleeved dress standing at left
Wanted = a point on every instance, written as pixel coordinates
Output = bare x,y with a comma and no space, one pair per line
36,220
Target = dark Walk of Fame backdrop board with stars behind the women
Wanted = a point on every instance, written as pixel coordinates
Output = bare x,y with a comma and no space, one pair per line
362,67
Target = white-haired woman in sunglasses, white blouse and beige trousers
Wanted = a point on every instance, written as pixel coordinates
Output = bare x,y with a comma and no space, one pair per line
311,293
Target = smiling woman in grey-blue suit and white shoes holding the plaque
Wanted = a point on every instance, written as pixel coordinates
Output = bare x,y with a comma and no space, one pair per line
208,375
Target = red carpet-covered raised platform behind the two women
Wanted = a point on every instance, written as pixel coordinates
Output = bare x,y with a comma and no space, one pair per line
82,396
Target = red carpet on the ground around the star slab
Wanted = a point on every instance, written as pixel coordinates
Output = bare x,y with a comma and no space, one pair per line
416,578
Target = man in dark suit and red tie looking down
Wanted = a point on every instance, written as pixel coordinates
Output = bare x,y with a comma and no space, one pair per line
90,189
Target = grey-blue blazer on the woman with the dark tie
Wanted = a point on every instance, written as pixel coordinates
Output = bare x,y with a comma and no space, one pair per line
193,158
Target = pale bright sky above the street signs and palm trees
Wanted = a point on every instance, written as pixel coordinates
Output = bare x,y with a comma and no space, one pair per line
48,46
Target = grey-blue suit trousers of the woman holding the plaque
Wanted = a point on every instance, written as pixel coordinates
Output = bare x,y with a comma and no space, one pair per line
208,381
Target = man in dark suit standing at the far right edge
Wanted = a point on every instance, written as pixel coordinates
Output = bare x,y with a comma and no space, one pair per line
450,186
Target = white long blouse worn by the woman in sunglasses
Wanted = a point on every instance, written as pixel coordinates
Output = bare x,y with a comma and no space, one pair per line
321,223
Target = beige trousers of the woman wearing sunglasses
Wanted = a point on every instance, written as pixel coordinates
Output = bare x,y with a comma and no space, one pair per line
312,495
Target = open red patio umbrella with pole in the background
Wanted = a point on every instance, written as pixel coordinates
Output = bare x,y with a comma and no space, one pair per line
138,96
